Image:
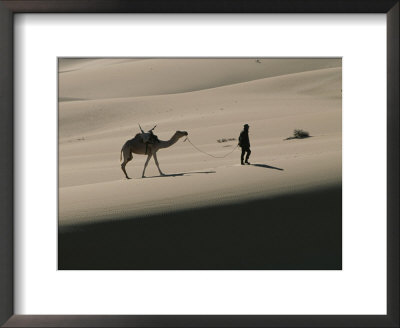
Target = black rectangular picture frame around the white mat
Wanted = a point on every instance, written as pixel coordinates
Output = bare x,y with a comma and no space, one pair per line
10,7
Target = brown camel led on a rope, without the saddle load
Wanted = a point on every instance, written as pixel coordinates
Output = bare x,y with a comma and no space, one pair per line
137,146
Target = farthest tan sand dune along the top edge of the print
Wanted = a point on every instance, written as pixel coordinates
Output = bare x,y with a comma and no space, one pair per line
120,78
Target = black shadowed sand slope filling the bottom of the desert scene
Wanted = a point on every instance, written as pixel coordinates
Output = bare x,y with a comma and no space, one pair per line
297,231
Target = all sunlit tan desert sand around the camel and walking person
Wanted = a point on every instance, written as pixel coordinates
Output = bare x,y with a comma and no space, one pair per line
102,101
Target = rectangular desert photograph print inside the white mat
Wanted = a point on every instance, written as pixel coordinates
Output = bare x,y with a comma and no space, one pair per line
199,163
